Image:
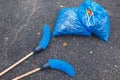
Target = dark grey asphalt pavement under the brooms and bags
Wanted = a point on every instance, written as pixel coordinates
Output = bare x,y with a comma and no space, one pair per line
21,24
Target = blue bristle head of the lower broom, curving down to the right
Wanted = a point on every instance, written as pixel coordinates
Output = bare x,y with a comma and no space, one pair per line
62,65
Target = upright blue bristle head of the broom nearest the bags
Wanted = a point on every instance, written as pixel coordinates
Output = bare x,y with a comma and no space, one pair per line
46,37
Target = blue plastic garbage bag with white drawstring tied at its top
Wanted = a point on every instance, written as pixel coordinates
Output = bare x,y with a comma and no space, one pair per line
98,22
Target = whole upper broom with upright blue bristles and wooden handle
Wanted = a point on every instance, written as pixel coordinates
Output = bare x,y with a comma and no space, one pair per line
42,45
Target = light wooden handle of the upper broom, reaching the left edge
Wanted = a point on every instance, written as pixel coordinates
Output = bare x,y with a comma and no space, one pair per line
15,64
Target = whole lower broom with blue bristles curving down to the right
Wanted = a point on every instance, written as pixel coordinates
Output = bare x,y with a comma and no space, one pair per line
52,64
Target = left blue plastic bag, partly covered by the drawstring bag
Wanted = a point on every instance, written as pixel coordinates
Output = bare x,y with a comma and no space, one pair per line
68,23
